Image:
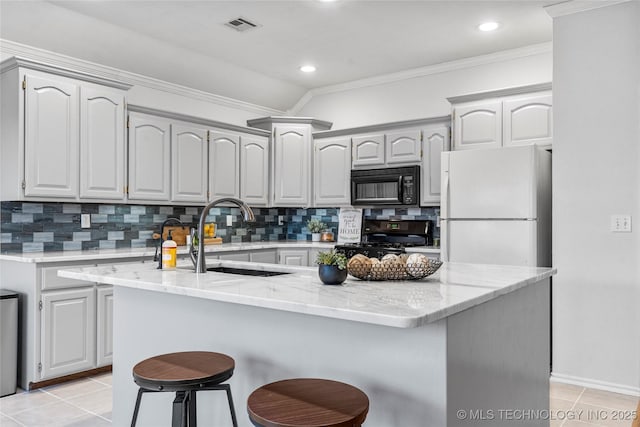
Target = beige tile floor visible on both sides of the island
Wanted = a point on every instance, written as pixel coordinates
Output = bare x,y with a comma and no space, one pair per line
87,403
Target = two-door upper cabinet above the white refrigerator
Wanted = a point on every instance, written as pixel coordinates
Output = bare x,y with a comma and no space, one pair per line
503,118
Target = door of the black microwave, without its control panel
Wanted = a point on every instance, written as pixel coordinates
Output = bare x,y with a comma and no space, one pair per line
375,187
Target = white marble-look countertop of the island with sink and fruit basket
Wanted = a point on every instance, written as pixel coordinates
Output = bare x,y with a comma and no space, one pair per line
403,304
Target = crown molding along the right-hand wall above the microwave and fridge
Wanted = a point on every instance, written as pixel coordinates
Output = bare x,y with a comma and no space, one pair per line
475,61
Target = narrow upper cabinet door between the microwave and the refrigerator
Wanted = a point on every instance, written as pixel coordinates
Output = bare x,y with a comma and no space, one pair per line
435,141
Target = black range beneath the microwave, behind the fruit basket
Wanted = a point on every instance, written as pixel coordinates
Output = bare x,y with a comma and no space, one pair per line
382,237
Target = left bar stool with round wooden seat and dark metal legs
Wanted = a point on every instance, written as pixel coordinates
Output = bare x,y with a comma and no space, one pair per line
184,373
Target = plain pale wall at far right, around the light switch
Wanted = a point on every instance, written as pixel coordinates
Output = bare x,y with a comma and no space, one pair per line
596,154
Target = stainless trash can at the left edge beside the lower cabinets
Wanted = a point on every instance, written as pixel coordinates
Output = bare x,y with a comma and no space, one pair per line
8,341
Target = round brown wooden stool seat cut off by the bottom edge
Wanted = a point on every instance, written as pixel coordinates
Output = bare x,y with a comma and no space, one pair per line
307,402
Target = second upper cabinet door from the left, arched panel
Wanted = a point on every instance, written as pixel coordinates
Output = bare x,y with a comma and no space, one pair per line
102,148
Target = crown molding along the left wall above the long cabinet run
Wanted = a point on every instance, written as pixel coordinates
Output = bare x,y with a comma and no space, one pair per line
54,59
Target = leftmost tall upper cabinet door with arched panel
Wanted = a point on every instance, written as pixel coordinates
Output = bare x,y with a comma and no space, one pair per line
51,137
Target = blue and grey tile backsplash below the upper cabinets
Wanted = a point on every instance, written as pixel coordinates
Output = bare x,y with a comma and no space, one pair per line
46,227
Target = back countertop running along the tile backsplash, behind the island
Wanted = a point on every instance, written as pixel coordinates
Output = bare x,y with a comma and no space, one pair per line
102,254
